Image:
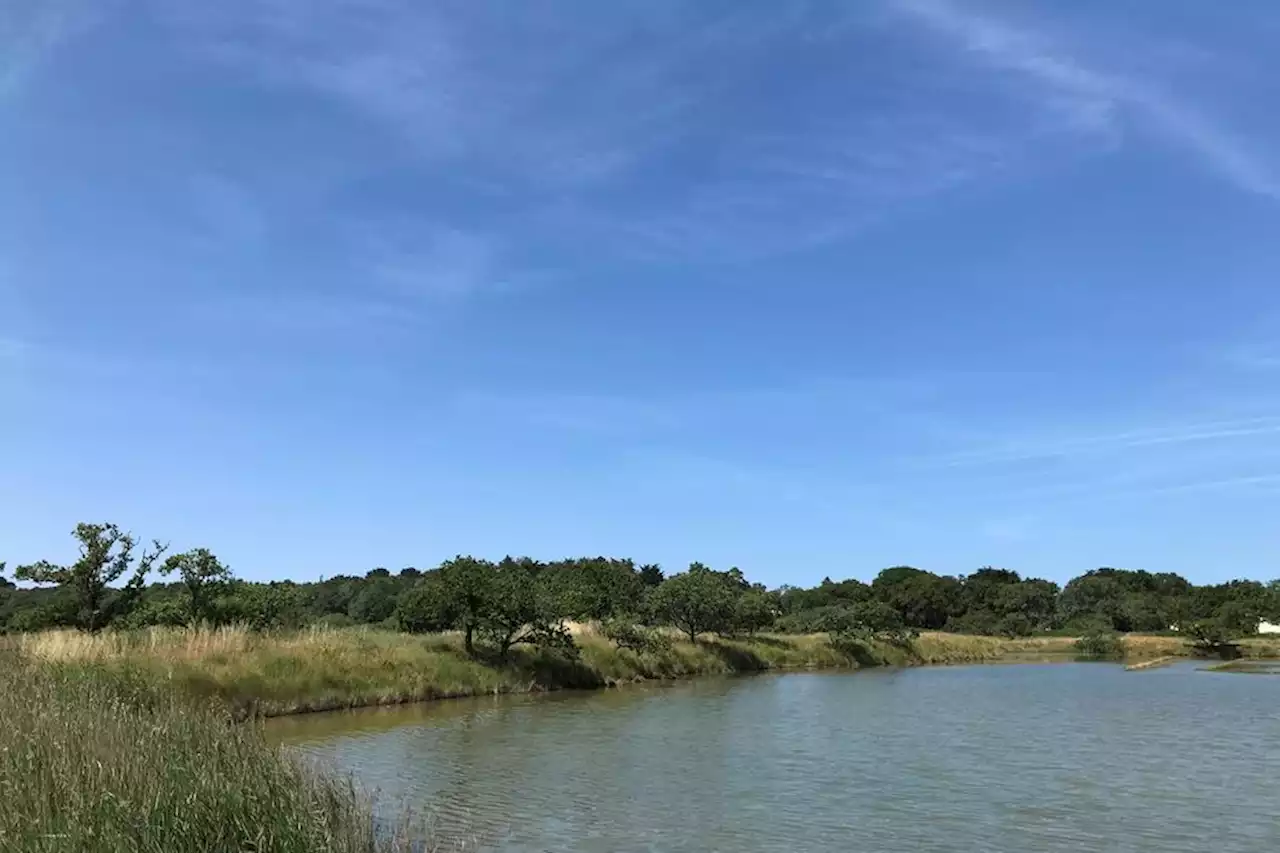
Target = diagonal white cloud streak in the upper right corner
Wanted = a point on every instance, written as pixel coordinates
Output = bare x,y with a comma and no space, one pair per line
1095,99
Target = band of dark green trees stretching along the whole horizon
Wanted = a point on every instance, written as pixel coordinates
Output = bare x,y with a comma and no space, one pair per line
519,600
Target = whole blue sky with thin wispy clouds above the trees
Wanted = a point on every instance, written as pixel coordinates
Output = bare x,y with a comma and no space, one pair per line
803,288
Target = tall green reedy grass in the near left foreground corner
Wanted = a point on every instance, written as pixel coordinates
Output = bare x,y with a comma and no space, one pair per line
95,760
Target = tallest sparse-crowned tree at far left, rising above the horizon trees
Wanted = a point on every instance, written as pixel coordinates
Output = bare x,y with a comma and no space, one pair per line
106,556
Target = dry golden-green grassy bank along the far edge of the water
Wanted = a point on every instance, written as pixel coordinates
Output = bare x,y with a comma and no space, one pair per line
278,674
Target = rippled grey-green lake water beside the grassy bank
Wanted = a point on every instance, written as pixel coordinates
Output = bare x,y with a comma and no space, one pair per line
1021,759
